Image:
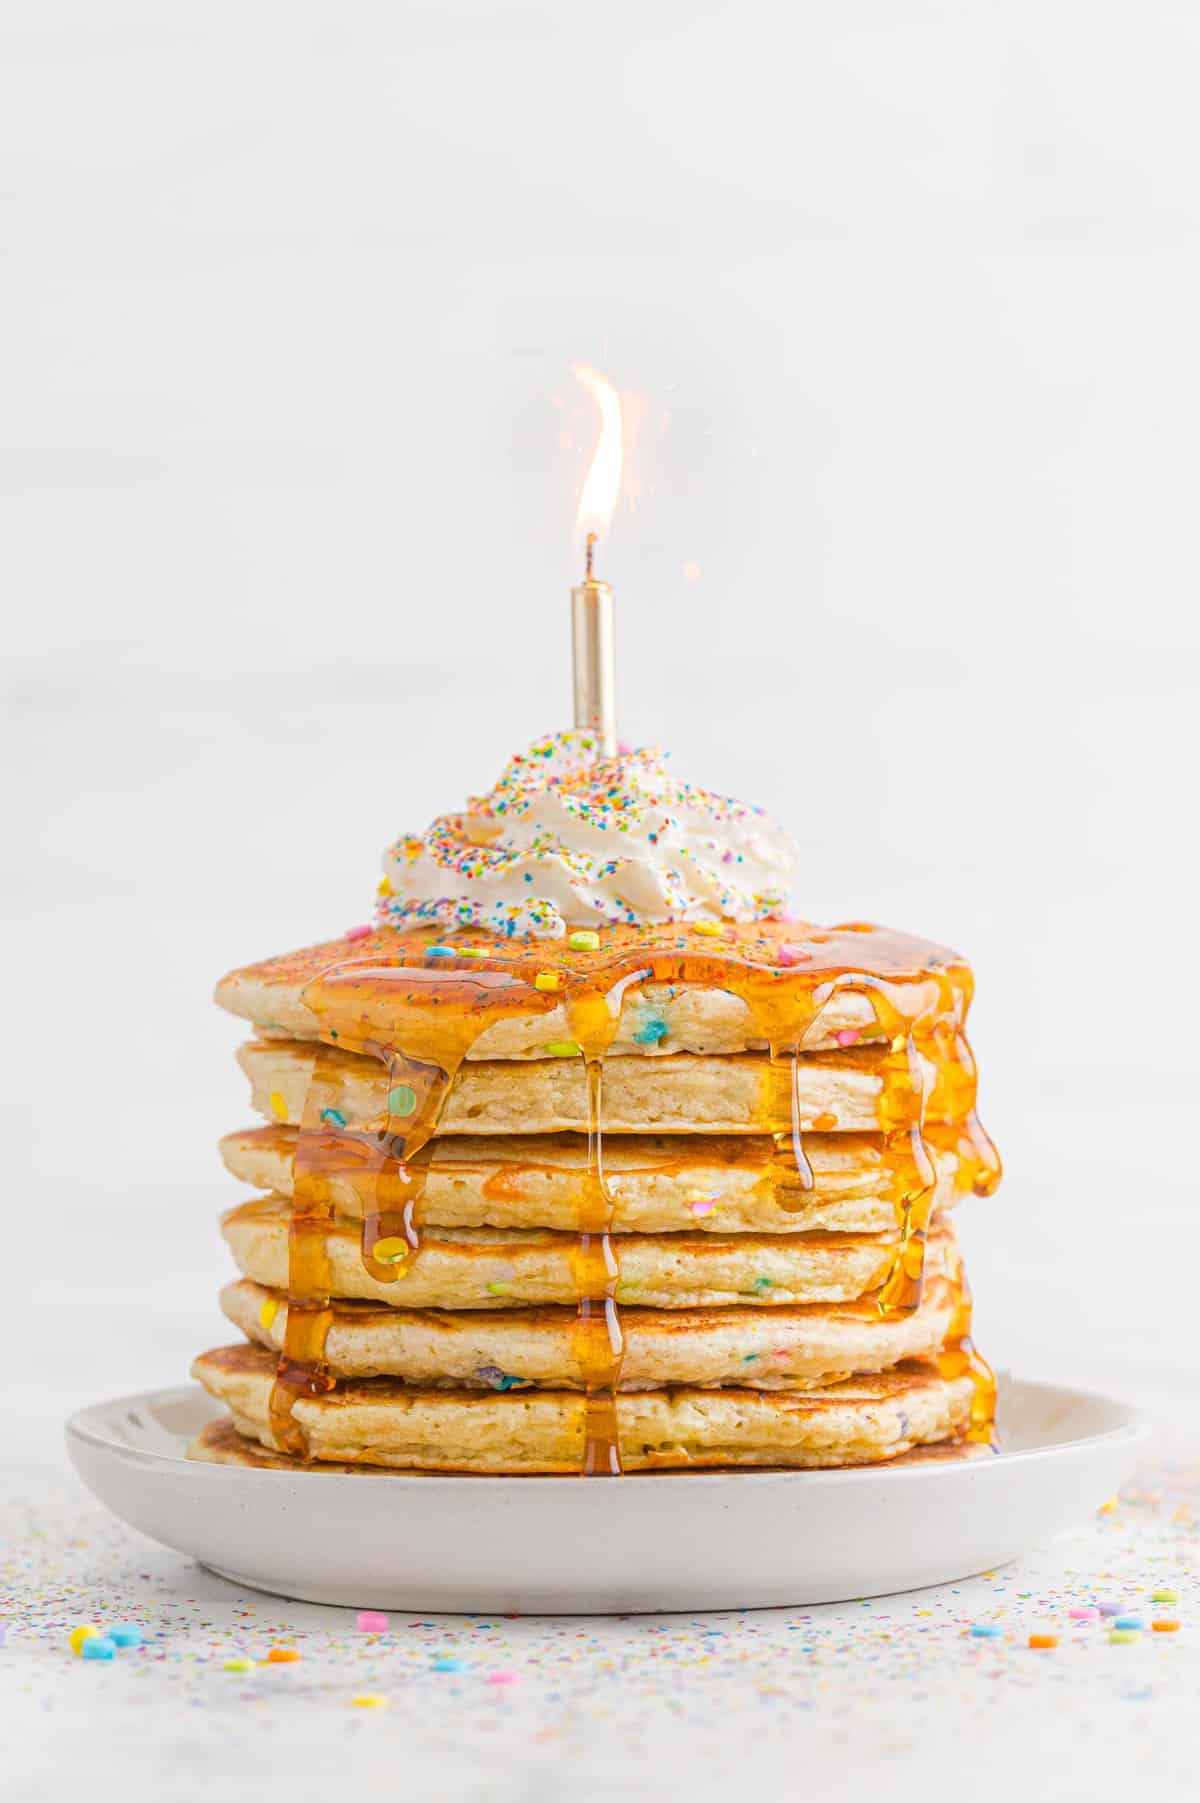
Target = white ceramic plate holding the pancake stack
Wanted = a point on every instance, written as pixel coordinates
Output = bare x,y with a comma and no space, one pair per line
563,1544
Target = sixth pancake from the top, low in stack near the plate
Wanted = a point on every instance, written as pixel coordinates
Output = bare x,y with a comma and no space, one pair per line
383,1423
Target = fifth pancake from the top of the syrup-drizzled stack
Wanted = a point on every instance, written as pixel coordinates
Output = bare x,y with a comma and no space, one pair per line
758,1350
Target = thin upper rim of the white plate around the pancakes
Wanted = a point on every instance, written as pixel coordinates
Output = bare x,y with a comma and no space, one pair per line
1132,1432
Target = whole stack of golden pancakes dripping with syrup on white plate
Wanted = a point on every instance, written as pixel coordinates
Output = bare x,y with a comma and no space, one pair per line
646,1200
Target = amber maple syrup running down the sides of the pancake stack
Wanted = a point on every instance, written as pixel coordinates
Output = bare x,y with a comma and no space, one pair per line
423,1016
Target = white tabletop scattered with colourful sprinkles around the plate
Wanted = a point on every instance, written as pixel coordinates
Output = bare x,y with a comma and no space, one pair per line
841,1701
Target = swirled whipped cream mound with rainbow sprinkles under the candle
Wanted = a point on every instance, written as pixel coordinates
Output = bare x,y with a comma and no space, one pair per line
574,839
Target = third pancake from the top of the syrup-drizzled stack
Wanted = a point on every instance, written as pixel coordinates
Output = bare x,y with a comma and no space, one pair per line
657,1184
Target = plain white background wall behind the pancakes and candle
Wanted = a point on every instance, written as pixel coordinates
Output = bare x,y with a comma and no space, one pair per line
289,444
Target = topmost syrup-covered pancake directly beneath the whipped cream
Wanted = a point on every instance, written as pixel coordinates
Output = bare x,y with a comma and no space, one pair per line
691,1009
